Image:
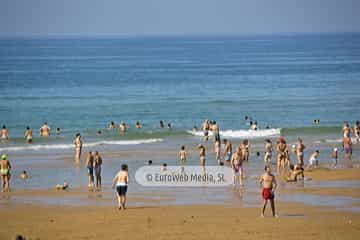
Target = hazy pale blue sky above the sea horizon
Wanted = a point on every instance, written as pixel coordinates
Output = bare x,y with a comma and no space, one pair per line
179,17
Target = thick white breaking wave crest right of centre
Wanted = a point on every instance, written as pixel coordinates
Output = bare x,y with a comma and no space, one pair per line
243,133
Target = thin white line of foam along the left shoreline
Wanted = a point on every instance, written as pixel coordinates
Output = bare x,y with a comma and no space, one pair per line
69,146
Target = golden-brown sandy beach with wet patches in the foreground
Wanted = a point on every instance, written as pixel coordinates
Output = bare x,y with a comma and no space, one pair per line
153,221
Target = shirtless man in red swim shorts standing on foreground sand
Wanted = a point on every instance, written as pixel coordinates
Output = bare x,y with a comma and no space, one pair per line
268,184
